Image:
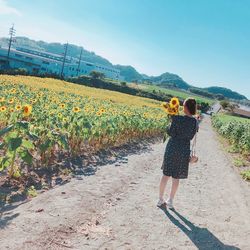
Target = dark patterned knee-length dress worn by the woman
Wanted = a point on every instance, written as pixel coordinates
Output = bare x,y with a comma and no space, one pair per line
176,158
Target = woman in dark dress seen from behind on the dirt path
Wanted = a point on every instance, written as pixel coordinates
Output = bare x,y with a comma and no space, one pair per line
177,154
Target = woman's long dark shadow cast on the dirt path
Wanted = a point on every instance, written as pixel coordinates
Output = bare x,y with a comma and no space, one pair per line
201,237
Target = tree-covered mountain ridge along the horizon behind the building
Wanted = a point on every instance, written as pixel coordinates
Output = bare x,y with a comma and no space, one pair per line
128,72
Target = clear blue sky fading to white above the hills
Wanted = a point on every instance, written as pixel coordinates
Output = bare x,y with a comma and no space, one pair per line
206,42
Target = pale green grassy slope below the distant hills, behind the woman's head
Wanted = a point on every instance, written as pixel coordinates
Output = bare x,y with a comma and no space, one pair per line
178,93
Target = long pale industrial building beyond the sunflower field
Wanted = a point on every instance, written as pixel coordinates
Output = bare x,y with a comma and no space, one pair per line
48,63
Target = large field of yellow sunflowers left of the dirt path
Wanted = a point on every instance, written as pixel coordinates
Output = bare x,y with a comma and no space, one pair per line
41,119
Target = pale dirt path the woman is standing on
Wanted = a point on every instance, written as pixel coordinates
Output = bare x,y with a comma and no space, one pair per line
115,208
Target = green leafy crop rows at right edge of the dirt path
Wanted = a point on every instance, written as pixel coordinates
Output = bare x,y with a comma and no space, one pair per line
237,131
